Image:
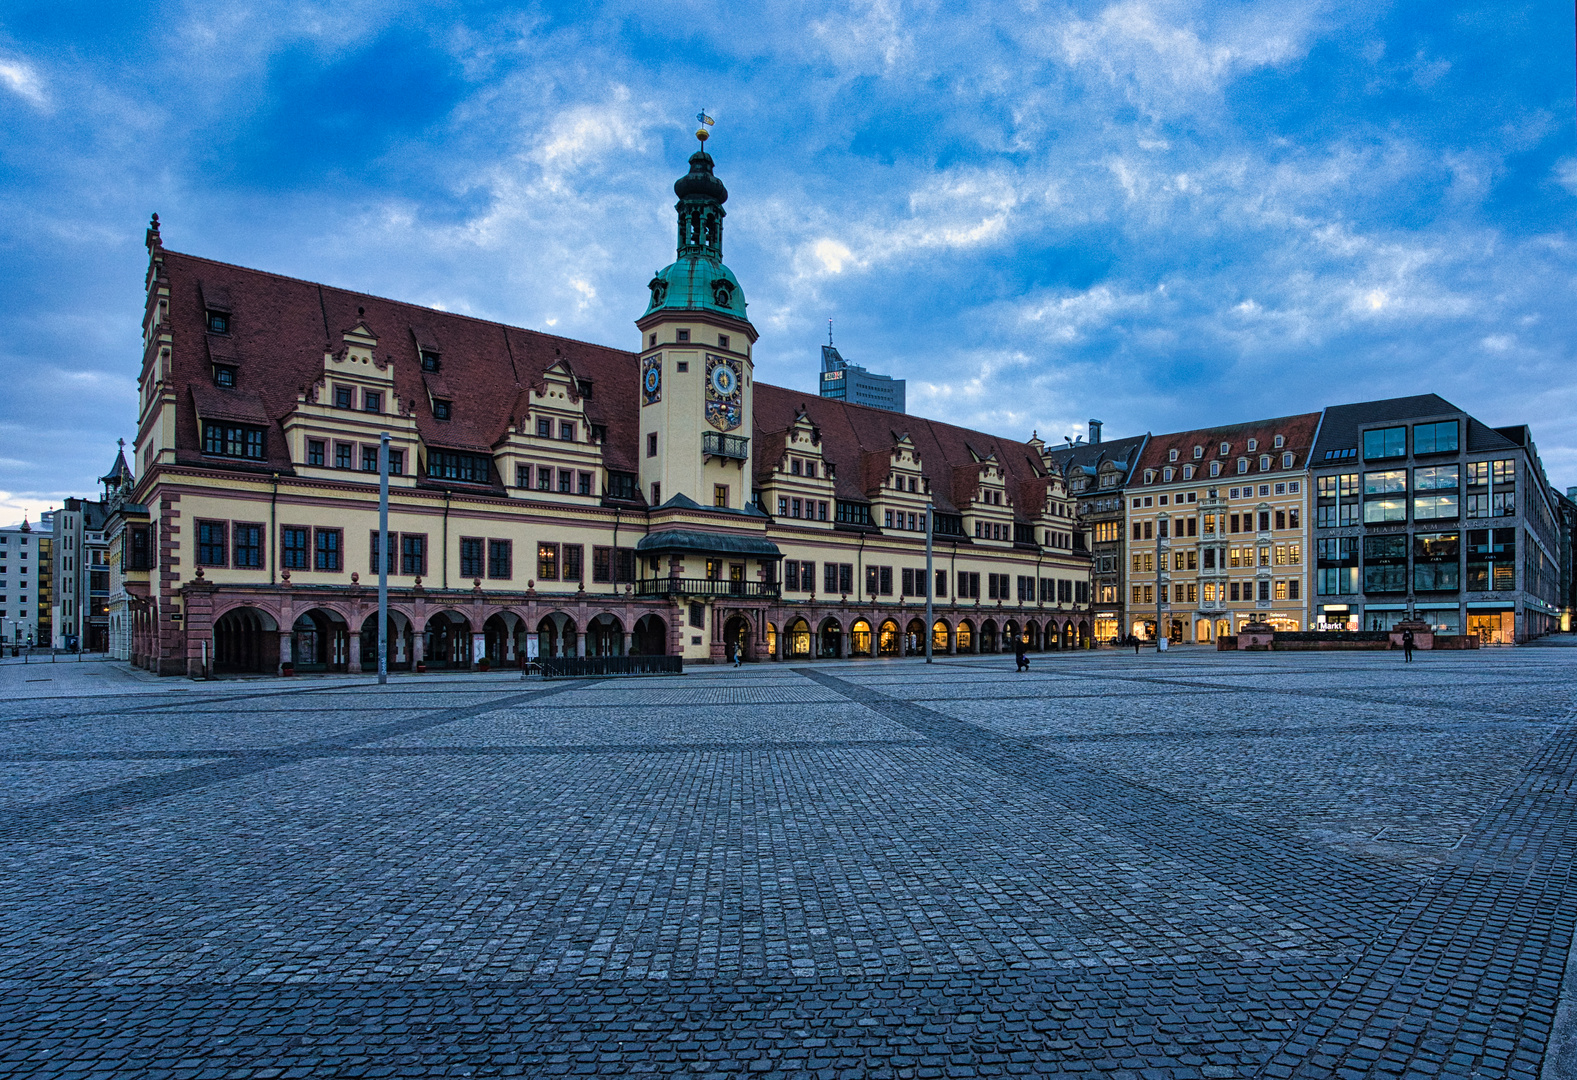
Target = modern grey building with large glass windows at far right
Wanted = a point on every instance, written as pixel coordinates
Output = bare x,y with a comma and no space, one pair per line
1422,512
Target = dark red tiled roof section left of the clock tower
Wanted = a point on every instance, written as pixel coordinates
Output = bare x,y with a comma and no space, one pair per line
280,329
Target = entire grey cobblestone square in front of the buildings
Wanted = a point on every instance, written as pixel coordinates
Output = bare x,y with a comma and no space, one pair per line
1171,866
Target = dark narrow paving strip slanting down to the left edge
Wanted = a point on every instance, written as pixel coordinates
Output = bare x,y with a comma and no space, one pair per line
24,822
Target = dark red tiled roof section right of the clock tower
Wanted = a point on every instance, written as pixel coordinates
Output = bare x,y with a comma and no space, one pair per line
852,431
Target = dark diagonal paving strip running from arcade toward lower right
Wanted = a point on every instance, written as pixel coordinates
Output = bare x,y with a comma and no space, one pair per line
1346,899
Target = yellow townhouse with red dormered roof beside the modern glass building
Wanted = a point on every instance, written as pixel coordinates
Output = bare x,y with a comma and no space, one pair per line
1218,531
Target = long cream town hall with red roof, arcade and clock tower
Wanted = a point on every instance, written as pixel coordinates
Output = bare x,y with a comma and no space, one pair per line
606,502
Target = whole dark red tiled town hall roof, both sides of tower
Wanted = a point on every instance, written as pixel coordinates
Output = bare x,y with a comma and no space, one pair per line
280,329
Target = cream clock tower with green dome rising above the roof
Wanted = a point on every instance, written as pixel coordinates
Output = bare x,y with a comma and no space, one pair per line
696,373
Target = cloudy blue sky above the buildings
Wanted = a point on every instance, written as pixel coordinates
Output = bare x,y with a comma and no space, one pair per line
1161,215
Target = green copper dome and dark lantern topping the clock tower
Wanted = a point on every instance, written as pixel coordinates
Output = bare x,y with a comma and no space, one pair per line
698,280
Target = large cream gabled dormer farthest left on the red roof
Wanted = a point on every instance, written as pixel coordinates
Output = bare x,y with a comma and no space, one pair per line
335,426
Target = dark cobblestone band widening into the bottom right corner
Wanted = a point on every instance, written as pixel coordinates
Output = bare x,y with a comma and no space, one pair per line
1467,981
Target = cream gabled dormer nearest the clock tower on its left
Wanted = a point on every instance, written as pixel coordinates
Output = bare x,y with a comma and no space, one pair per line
553,450
